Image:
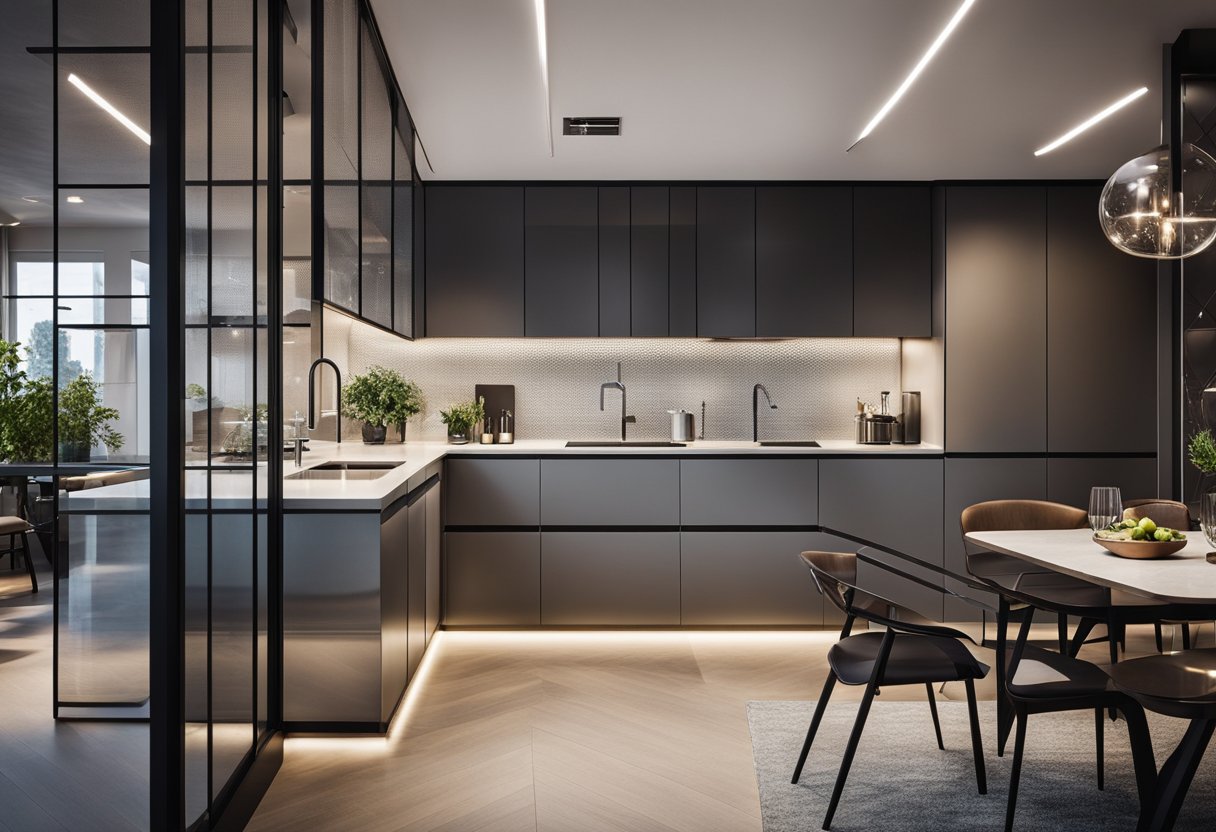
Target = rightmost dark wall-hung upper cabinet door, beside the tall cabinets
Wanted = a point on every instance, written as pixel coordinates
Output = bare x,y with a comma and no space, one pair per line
893,267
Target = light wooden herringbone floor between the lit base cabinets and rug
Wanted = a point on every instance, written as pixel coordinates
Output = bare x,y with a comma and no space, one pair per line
564,732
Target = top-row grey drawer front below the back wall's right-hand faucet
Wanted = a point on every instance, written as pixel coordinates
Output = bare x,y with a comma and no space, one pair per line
759,492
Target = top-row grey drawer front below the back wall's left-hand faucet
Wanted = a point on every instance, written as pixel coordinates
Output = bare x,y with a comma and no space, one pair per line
610,492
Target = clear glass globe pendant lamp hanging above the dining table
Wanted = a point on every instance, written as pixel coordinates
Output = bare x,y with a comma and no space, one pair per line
1142,216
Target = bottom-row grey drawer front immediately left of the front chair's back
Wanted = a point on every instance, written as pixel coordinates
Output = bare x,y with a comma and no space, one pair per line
750,578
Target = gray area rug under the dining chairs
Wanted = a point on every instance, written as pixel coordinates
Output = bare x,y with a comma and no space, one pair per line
902,783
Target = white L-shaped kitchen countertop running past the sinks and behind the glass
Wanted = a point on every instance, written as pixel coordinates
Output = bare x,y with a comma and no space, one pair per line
235,490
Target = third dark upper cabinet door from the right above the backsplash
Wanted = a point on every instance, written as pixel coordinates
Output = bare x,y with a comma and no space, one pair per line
727,261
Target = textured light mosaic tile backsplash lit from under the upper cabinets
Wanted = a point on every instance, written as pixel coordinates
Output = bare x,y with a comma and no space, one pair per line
815,383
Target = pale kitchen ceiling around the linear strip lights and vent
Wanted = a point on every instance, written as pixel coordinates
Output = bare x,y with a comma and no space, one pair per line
779,89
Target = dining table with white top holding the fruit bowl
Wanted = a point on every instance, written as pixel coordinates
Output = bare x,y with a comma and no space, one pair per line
1187,577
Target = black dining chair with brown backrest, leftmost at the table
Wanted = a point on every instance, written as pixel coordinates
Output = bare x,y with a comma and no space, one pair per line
913,650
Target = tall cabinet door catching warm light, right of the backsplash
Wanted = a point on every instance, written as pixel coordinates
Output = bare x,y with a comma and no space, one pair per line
997,323
